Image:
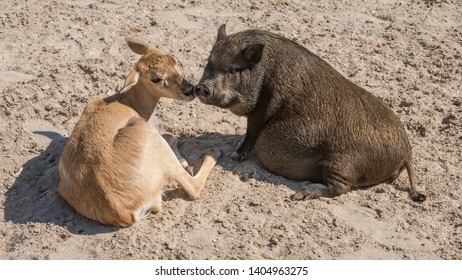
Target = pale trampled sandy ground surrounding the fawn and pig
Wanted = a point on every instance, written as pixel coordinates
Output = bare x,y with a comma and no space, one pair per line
56,56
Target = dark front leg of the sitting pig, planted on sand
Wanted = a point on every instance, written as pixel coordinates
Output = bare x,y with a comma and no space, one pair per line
254,125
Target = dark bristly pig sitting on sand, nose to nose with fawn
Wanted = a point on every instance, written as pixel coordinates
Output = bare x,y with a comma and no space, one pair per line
305,121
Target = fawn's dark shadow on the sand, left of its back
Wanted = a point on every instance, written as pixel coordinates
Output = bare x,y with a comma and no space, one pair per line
34,197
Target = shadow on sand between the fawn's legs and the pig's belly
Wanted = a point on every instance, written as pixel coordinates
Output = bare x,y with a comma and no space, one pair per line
250,168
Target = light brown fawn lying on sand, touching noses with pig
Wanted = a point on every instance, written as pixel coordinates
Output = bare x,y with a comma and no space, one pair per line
115,164
